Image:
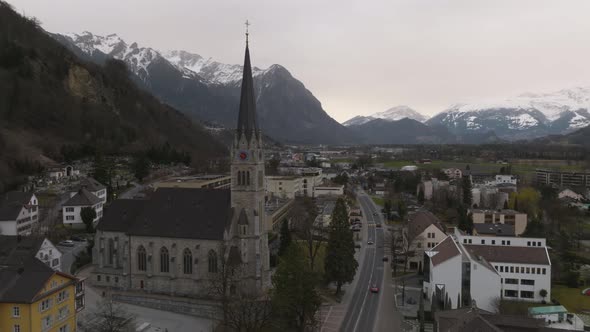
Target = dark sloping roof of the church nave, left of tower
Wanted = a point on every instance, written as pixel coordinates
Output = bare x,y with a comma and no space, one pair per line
192,213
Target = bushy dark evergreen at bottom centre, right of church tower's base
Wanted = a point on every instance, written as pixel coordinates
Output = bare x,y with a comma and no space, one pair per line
294,295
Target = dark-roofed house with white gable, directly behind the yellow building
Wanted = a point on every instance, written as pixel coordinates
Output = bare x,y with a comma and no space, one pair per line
21,247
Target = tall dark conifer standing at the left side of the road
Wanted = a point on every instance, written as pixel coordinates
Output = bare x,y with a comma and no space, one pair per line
340,265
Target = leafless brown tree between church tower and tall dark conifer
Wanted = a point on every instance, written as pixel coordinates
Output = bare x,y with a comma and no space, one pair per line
307,229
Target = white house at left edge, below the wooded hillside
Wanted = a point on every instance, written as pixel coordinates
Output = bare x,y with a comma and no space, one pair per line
19,213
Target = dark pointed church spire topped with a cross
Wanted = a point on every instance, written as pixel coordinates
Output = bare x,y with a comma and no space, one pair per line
247,115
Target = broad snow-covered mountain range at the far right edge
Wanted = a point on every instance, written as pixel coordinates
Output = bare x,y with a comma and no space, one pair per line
526,116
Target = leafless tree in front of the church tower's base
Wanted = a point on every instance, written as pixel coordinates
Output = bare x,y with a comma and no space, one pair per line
243,308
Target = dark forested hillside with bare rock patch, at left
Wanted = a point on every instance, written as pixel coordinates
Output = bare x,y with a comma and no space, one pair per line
50,98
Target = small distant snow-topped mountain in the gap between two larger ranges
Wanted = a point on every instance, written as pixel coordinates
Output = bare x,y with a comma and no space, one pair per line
404,131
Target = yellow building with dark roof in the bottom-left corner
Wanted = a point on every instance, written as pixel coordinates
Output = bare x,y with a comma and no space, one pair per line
34,297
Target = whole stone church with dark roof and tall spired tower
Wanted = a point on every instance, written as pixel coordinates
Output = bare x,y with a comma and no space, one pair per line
176,241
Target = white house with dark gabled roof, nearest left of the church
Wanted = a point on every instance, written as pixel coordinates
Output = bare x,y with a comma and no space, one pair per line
72,208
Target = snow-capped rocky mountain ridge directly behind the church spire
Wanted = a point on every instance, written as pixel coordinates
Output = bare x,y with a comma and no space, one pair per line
209,91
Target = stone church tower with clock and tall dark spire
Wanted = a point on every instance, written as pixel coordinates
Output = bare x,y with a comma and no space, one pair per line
249,229
